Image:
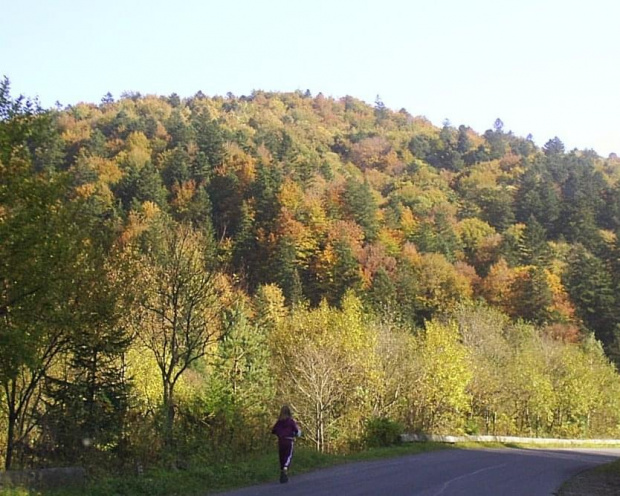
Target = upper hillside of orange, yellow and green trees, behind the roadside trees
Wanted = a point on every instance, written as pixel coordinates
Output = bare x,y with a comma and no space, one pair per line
319,196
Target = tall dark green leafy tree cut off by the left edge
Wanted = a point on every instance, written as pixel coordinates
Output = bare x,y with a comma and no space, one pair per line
37,246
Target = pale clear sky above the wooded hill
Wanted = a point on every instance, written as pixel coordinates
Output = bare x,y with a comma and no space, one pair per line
544,67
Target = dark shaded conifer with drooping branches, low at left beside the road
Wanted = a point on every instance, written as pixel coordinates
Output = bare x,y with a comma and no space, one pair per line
87,407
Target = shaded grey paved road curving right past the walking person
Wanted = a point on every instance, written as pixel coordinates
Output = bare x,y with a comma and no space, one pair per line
485,472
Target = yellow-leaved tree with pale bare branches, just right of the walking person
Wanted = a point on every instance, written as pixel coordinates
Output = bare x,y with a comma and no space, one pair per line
324,359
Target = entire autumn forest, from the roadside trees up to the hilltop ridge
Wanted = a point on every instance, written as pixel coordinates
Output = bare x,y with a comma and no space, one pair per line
172,270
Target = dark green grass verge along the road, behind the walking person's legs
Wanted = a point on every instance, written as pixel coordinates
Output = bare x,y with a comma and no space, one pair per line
206,479
